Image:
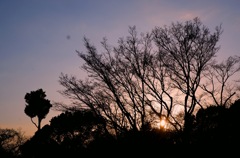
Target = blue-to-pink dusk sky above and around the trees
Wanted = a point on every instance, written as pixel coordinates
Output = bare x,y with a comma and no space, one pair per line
39,39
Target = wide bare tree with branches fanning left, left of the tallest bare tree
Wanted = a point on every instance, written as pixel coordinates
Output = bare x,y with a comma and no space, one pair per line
117,90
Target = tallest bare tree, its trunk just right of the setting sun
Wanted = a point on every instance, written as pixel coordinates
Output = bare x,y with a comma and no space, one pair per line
186,50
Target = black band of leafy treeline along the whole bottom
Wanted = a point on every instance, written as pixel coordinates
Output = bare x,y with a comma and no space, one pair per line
214,131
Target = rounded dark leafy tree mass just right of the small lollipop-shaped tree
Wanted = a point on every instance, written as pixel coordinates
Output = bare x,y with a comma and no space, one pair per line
68,135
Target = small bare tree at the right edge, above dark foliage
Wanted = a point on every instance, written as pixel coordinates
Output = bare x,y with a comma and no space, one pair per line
220,84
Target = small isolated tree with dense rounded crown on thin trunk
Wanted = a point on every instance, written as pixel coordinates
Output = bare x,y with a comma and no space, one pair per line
37,106
